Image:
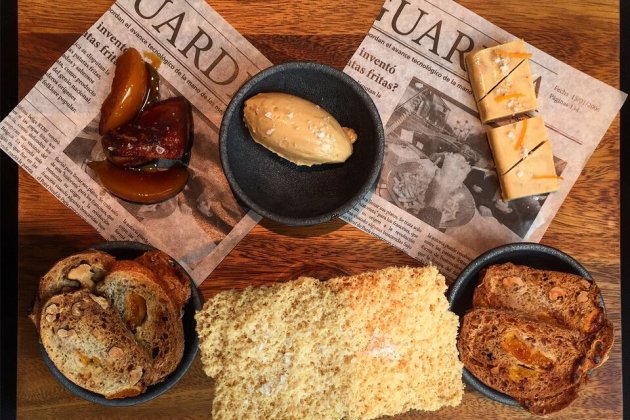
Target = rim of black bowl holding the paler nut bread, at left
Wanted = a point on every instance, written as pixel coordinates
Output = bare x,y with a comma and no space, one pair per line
152,391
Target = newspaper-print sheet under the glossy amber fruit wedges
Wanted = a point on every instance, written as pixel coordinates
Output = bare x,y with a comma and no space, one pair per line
53,132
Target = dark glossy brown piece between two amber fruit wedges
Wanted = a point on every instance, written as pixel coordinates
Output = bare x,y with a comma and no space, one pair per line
162,131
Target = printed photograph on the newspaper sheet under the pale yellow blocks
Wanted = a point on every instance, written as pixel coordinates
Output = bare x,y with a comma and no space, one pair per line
436,147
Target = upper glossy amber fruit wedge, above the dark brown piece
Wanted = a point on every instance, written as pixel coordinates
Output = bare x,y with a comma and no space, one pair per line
129,89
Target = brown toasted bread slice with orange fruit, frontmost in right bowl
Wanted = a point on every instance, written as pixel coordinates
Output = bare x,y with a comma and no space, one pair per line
529,360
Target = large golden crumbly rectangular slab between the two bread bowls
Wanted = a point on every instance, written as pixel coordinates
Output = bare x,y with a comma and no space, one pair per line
358,347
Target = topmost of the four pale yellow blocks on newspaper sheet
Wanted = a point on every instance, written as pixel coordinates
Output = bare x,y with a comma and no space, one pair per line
489,66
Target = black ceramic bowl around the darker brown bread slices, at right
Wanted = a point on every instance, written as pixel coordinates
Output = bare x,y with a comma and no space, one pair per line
530,254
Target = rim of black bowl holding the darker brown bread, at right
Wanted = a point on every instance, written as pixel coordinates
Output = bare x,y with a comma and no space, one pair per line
486,259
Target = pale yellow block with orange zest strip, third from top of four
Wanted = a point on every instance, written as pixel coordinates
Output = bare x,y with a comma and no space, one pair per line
512,142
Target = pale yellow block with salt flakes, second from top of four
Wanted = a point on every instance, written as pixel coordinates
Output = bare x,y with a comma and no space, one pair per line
513,96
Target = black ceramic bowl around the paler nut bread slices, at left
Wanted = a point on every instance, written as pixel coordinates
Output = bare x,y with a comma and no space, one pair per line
130,250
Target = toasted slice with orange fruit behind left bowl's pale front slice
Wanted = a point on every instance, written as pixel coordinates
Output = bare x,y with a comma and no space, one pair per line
149,313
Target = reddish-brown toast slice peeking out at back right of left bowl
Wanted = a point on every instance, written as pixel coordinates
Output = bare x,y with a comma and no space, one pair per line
168,274
